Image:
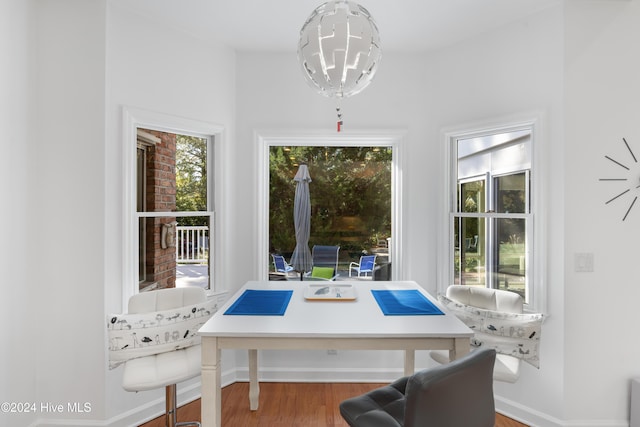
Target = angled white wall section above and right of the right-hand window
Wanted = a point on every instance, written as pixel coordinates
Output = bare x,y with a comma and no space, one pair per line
512,71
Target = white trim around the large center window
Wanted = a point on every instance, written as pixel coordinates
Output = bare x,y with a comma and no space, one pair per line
266,139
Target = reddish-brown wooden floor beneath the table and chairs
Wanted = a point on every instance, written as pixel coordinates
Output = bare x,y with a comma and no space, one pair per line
288,405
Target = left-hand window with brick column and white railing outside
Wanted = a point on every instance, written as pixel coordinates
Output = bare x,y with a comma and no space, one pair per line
169,238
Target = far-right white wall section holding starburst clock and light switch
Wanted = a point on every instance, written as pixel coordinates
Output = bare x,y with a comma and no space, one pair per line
602,105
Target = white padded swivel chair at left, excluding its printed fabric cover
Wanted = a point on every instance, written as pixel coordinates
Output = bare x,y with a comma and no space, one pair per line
164,369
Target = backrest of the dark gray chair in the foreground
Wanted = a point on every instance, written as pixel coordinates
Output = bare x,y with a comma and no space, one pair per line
457,394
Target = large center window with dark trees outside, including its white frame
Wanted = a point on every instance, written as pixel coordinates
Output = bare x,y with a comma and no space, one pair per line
341,162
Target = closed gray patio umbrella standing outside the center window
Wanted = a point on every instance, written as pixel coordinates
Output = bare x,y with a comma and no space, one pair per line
301,259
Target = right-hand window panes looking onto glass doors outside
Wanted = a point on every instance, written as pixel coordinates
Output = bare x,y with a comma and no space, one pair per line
491,235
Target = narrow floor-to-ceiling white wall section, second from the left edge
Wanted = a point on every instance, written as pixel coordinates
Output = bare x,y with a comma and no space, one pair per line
68,170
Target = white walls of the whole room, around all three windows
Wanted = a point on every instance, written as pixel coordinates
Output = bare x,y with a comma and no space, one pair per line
74,63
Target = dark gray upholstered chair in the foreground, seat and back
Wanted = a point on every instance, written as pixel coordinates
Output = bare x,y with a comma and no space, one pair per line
458,394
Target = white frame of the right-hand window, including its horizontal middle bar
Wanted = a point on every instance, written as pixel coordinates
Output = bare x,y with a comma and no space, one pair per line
536,222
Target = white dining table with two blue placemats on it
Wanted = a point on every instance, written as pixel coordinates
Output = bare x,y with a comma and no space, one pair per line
350,324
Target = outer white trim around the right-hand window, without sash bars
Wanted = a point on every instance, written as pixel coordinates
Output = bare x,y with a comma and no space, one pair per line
539,188
